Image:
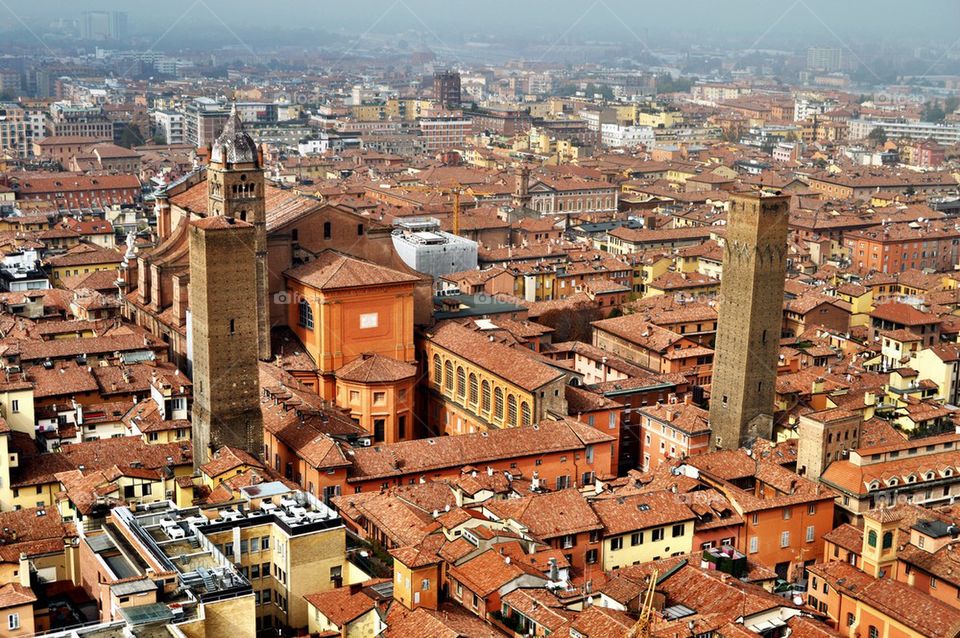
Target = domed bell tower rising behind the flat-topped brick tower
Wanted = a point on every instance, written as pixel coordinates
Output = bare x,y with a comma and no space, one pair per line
235,187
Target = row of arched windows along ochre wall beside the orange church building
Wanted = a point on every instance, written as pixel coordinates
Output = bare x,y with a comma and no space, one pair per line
475,394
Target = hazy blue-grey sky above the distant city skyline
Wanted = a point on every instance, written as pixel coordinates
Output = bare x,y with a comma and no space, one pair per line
821,21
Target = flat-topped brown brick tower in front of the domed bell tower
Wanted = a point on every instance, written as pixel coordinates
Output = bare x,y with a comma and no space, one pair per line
226,388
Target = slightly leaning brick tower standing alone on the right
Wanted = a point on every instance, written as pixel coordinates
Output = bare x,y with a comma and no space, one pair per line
751,314
